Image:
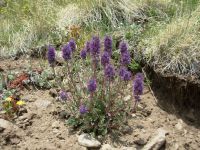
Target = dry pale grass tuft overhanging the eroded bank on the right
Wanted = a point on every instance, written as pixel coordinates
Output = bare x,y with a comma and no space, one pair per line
176,46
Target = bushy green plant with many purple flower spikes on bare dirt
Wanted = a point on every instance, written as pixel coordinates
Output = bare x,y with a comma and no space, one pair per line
96,84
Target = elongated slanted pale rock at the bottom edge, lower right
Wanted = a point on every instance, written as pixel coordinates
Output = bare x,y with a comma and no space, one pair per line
157,141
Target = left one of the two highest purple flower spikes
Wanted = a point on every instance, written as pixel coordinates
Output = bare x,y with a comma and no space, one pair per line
95,46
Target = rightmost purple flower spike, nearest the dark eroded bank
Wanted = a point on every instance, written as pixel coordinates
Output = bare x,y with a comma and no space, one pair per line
138,86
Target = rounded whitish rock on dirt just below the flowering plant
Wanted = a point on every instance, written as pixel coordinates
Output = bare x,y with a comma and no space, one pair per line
88,141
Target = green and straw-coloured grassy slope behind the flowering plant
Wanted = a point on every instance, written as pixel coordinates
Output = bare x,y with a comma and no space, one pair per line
165,32
